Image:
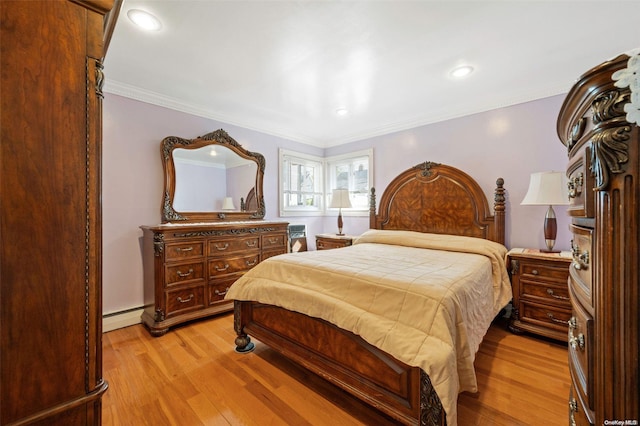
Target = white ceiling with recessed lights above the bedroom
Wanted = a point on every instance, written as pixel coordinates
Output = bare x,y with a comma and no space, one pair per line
285,67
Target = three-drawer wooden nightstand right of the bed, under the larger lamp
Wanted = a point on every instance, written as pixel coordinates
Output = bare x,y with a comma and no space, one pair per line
540,292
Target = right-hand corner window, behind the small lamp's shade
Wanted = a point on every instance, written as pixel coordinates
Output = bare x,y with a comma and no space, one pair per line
352,171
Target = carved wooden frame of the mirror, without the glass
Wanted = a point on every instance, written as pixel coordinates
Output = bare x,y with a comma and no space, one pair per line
216,138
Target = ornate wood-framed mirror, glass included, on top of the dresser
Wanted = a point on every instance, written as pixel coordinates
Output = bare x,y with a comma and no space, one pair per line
211,178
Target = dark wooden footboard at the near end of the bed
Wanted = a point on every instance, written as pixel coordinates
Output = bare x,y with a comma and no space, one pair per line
343,358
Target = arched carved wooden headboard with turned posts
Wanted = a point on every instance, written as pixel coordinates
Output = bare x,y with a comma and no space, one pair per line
439,199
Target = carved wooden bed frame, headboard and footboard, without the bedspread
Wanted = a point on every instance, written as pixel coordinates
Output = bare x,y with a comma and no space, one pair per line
431,198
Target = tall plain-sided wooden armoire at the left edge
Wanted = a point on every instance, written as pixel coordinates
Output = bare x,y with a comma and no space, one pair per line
51,53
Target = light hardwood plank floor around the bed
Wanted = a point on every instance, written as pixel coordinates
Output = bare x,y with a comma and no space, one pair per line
192,376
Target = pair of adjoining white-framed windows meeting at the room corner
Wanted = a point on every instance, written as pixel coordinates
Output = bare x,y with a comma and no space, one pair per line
304,191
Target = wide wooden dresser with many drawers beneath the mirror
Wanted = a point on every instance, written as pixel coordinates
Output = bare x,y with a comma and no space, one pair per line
188,268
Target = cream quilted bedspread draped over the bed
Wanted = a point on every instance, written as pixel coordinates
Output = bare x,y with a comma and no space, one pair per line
426,299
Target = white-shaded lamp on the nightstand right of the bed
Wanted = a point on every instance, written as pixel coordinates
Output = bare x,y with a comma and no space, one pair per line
547,189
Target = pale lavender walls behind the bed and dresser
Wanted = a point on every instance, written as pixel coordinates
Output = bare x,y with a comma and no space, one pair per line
510,143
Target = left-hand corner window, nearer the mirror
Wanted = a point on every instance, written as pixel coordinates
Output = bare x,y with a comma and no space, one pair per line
301,184
